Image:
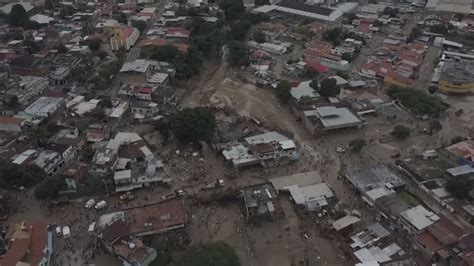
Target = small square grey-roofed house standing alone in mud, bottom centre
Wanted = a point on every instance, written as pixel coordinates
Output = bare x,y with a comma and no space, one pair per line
261,202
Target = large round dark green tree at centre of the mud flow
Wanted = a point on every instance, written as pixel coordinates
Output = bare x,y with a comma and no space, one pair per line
193,125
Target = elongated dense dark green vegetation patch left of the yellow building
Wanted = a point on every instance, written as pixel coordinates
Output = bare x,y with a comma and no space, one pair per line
418,102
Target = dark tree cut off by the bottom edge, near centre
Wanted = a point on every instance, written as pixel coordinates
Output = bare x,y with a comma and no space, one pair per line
210,254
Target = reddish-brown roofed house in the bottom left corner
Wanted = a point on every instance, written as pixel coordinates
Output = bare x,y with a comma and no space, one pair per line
27,243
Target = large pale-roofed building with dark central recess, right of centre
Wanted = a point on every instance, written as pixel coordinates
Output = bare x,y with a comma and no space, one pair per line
327,118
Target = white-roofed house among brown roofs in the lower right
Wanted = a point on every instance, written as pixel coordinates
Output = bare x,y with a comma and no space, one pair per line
415,220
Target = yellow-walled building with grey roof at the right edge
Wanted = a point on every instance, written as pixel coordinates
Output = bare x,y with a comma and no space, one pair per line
457,77
